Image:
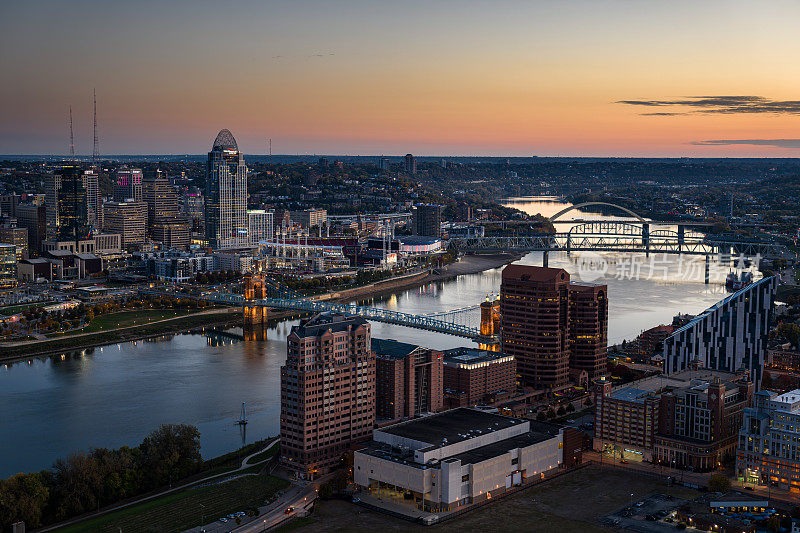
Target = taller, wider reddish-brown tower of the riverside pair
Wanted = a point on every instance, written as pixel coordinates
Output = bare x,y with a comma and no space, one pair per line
534,303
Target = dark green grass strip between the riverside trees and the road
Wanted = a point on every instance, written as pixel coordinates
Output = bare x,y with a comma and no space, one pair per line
177,512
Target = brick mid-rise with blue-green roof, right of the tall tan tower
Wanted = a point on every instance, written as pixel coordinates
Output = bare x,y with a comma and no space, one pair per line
408,379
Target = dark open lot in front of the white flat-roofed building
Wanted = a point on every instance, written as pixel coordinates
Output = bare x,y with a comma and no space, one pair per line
570,504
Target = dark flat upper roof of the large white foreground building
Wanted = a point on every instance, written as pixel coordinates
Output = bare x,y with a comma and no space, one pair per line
451,426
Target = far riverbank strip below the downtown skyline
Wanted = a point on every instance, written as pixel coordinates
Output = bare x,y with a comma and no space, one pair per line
228,317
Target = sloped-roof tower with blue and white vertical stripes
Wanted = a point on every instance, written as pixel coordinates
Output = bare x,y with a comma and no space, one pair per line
730,335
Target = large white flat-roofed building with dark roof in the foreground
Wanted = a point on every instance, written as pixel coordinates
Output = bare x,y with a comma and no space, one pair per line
457,457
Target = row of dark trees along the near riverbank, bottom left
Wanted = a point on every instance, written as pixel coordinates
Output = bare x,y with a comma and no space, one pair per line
86,481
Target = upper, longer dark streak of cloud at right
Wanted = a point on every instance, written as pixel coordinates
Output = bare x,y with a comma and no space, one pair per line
720,105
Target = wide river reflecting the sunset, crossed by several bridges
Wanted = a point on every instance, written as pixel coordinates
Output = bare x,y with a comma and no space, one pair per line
114,395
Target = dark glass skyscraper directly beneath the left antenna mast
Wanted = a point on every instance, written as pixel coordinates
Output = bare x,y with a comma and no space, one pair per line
67,215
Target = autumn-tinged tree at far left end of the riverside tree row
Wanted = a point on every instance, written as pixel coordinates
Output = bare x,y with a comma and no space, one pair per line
23,497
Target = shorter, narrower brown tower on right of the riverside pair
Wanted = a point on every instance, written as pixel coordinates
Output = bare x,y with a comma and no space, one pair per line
588,328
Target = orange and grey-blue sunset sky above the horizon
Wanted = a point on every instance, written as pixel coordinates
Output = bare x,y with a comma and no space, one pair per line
573,78
